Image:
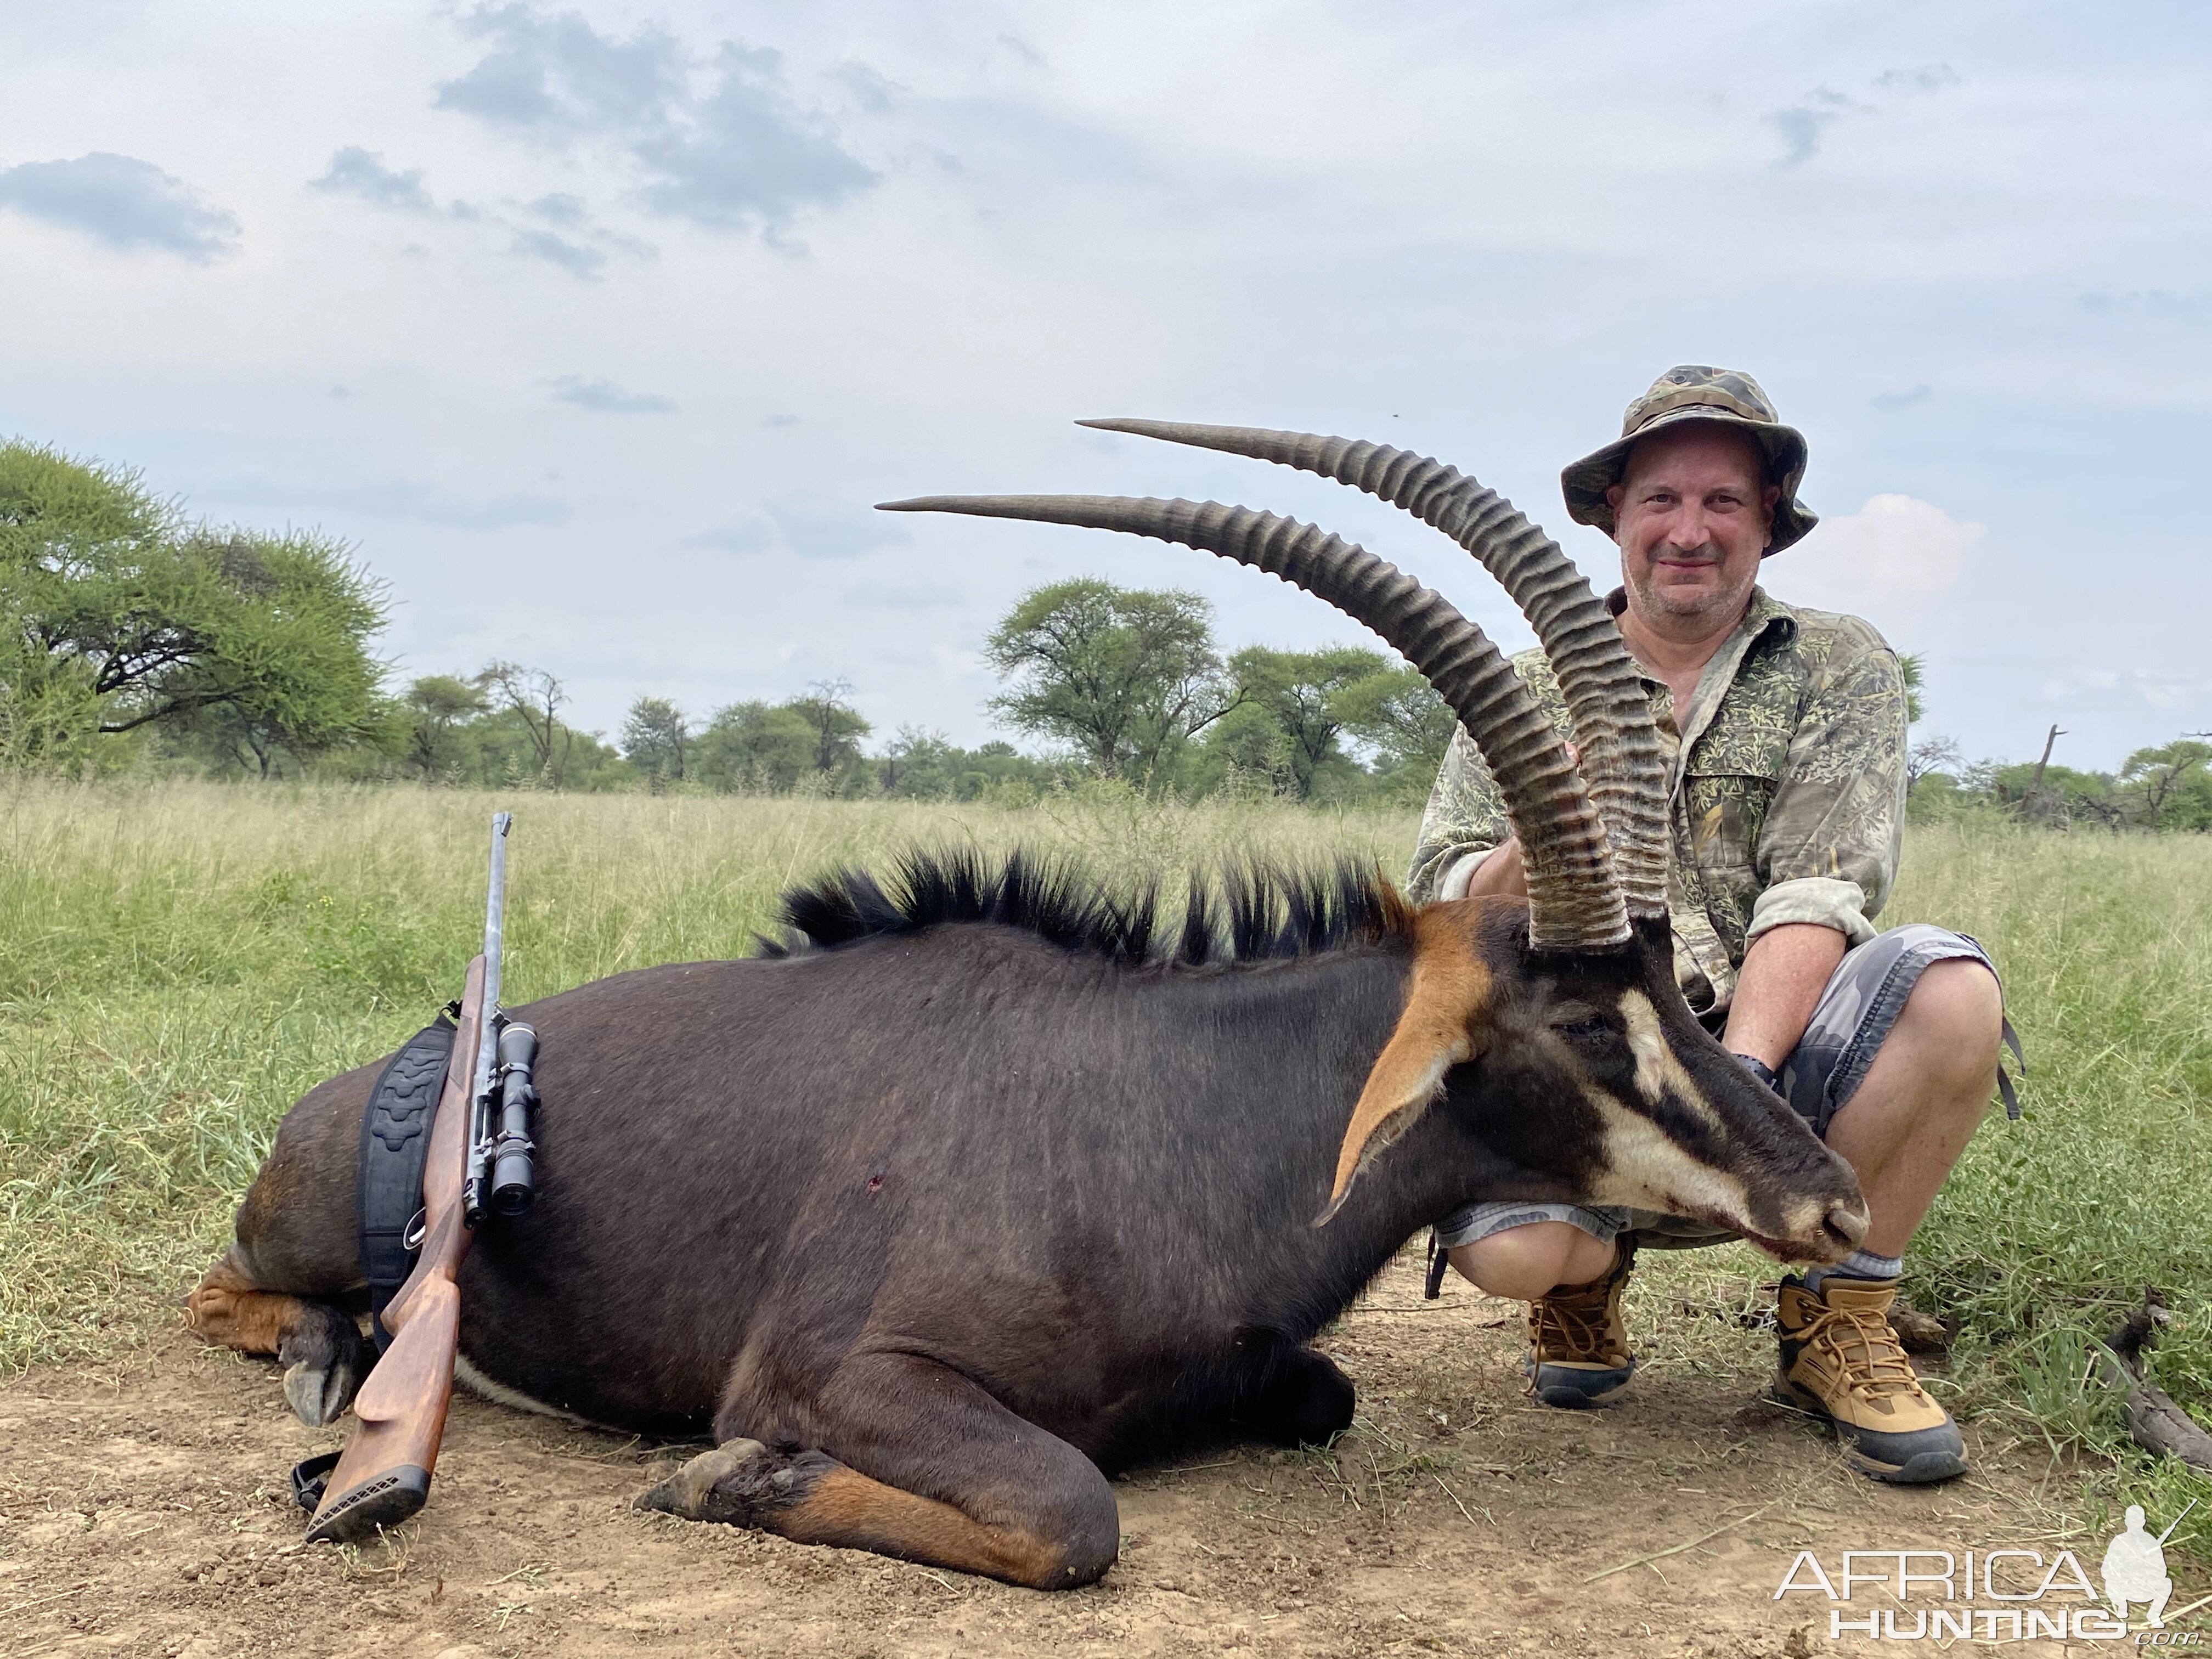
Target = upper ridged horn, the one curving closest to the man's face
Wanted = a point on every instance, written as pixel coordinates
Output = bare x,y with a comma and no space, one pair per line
1620,747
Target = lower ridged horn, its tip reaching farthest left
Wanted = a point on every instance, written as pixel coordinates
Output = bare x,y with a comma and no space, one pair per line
1574,899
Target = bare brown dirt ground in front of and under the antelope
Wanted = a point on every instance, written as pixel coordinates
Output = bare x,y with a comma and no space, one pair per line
145,1512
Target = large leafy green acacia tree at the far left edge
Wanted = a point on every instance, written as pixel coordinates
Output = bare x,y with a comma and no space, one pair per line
116,616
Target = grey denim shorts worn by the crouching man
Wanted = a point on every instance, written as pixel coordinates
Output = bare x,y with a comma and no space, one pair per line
1848,1027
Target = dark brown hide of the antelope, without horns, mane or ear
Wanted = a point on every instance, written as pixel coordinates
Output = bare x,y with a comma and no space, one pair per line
981,1213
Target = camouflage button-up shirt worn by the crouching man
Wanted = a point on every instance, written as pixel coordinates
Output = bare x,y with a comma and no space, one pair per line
1788,789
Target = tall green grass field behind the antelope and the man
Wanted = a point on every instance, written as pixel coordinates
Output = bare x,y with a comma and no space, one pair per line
178,963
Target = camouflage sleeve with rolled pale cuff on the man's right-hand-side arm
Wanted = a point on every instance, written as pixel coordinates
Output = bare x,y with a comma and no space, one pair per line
1830,844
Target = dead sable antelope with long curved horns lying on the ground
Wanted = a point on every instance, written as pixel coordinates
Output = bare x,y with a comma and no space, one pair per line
977,1193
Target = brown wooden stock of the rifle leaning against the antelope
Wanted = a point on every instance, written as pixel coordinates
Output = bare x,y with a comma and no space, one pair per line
384,1474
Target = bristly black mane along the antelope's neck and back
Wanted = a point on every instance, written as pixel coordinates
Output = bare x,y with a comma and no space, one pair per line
1251,912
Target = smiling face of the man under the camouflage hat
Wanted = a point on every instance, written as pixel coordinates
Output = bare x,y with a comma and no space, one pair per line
1693,514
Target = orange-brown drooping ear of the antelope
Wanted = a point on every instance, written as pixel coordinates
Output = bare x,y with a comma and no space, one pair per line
1434,1034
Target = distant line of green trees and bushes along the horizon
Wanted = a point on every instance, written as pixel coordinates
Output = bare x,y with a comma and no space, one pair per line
138,636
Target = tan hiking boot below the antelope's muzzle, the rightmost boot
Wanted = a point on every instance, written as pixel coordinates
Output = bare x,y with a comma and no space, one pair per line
1844,1361
